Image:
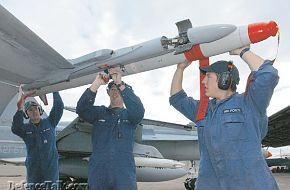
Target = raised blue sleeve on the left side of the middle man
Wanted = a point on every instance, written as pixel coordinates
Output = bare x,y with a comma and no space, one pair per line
86,109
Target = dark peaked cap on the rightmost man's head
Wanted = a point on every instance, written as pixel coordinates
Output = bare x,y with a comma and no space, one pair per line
221,67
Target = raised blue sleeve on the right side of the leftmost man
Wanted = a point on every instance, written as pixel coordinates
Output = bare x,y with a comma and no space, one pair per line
57,109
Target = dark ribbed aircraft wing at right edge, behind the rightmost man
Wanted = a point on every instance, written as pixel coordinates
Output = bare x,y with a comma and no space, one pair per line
279,129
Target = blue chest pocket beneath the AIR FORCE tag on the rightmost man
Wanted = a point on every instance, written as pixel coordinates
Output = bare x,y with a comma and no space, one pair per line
234,127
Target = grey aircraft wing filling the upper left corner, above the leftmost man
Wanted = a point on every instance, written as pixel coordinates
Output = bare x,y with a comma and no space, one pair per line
24,57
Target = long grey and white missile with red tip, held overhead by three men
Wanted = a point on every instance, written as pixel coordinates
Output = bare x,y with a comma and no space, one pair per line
192,43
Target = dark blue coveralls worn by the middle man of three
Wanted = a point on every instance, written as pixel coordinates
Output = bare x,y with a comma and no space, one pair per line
112,163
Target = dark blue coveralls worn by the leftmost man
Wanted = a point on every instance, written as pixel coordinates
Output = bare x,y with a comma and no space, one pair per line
42,156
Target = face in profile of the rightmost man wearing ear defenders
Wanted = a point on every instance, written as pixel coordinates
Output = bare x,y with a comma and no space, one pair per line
211,84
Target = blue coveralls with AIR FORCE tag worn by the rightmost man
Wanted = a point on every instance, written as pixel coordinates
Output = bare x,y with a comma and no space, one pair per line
231,133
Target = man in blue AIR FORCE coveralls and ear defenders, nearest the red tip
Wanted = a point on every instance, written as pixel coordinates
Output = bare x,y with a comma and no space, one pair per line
230,135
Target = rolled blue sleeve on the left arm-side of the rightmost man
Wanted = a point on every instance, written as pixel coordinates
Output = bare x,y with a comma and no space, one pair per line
184,104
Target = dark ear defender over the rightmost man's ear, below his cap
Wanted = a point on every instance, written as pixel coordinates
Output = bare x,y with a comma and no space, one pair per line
225,79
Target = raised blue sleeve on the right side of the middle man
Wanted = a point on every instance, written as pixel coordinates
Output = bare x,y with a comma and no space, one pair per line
134,106
